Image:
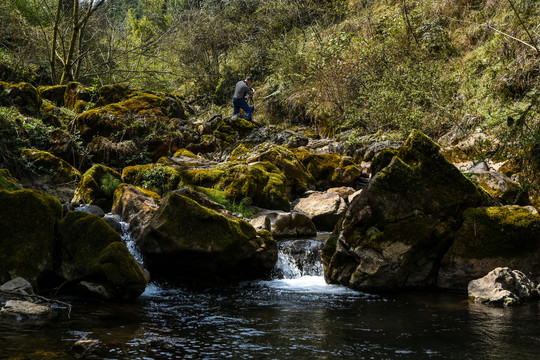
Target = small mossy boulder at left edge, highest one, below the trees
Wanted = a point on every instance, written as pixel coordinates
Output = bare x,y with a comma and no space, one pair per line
23,96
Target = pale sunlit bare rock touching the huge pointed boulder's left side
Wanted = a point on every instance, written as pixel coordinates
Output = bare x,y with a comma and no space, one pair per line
323,208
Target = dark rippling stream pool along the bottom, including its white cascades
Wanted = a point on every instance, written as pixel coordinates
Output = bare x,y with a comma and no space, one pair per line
296,315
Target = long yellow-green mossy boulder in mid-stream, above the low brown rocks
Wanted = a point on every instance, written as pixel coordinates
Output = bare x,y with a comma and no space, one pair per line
263,182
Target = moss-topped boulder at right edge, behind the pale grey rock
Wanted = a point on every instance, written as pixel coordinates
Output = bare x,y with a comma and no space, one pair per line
492,237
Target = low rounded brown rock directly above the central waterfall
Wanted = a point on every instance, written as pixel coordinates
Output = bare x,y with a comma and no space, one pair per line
282,224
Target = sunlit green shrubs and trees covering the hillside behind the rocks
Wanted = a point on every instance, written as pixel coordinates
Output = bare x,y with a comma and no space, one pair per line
359,64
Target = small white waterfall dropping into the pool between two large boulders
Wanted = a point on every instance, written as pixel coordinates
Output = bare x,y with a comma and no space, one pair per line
297,258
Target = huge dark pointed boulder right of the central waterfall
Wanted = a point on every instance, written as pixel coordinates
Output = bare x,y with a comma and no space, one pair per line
397,230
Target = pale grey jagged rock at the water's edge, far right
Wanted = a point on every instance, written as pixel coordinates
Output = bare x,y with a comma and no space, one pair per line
502,286
